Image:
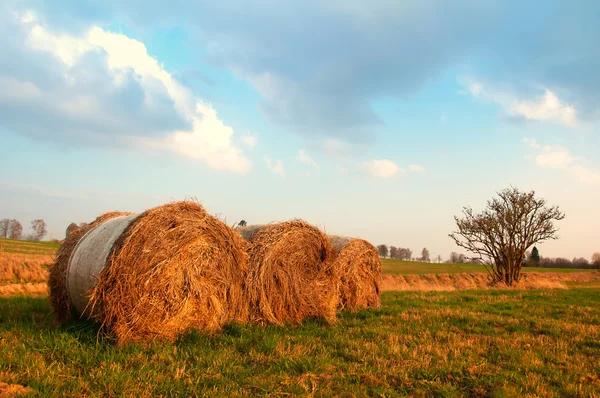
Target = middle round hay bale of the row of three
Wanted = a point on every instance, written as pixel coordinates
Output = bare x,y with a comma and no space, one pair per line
292,274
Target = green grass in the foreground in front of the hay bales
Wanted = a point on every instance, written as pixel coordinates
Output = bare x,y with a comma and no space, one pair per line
465,343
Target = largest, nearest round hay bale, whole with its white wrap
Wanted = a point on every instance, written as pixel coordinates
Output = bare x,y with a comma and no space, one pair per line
158,274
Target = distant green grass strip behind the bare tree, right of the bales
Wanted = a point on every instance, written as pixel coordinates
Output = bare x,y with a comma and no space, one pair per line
401,267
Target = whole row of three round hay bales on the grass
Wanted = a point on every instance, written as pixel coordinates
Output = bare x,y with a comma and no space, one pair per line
174,268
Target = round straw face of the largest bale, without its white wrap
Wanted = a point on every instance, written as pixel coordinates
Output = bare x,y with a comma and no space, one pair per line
174,268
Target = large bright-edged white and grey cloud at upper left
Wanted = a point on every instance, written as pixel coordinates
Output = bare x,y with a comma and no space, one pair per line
102,88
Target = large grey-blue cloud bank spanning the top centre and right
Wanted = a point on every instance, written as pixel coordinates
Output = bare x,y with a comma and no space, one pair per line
324,80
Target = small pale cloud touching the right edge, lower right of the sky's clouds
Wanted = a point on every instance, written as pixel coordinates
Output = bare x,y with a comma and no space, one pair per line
558,157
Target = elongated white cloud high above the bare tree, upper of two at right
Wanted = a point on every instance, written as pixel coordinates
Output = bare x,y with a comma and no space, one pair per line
547,107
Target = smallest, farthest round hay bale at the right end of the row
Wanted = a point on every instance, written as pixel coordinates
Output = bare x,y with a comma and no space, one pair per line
360,275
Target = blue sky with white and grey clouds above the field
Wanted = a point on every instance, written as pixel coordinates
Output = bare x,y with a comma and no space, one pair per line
379,119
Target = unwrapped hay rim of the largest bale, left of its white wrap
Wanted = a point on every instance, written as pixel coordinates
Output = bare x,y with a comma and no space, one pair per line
57,278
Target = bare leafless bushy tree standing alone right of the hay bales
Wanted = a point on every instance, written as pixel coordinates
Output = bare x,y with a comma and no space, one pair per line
501,234
